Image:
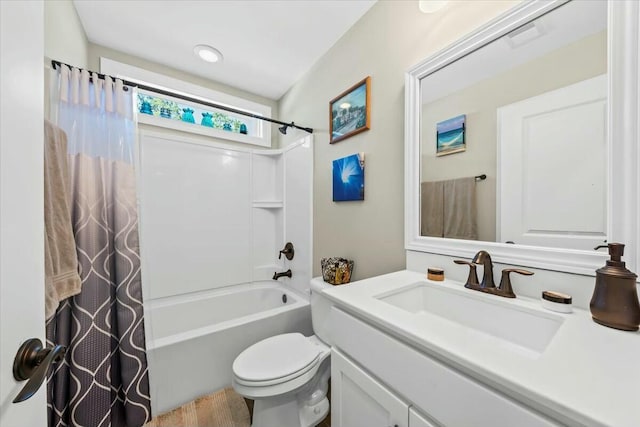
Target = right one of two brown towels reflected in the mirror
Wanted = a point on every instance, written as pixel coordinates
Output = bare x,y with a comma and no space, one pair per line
460,209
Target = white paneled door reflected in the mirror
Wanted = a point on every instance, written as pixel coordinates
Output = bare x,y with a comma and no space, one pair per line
553,176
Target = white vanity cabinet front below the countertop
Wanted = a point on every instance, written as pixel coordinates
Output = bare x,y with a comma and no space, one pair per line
428,386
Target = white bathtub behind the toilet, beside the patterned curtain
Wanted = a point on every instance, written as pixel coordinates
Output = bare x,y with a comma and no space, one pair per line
192,340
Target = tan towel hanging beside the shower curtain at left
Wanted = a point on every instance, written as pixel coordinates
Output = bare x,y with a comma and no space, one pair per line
60,260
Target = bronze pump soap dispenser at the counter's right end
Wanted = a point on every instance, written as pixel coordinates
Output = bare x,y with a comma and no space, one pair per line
615,297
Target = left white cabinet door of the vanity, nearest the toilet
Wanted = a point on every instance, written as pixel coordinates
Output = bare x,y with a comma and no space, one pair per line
359,400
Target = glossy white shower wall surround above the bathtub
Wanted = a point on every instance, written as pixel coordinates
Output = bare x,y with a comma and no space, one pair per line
243,205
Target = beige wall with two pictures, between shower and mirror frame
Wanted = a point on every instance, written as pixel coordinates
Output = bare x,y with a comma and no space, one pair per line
390,38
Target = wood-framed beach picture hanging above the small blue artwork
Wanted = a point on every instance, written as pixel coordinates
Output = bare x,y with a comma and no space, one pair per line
349,112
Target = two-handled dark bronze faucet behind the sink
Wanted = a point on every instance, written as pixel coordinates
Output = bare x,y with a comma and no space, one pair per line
487,285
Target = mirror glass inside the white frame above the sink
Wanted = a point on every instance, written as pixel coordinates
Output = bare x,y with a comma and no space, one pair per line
514,136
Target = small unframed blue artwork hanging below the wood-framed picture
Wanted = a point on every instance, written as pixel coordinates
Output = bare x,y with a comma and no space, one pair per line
348,178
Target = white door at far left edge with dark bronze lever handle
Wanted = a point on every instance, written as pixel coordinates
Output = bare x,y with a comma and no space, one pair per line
21,200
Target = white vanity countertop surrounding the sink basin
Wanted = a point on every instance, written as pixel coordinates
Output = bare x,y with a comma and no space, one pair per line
588,372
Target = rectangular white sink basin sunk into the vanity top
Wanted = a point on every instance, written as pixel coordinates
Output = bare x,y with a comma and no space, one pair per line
515,324
